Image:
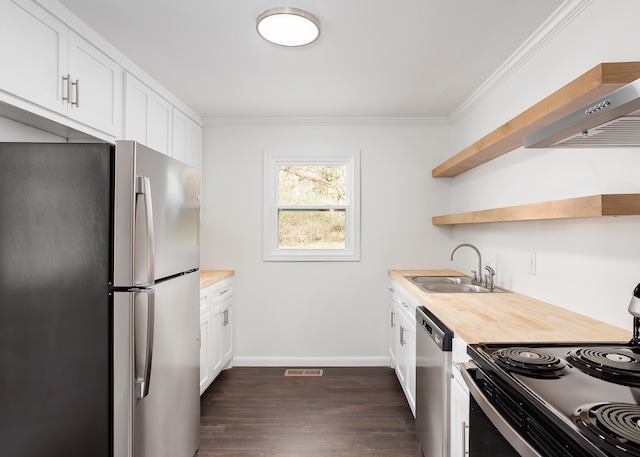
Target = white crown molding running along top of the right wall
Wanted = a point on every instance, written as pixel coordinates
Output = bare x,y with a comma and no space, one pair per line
560,18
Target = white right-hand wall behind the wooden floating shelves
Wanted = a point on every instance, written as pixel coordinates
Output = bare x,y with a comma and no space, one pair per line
587,265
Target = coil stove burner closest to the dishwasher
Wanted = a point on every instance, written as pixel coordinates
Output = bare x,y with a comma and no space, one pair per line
528,361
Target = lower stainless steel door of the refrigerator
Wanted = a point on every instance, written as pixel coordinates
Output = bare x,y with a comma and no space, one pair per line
165,421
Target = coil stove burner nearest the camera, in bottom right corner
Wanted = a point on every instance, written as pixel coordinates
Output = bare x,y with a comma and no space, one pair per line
615,426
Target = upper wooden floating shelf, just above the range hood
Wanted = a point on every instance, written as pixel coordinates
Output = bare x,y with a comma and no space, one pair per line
597,82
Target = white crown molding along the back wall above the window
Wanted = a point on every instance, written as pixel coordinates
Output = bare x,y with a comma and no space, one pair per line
316,121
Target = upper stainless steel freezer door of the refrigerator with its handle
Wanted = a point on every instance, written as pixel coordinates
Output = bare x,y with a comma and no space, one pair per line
157,216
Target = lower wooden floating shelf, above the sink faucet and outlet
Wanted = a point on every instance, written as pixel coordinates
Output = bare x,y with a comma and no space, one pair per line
592,206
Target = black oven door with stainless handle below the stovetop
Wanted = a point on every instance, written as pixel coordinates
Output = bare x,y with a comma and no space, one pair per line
490,435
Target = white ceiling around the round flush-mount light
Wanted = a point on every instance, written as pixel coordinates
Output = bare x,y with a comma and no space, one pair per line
374,58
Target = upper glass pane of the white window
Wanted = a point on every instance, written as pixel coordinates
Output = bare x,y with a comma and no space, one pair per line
312,184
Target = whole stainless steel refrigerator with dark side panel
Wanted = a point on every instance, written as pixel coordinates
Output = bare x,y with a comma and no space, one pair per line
99,302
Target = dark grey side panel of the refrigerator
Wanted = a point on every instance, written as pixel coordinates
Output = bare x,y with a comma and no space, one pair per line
54,300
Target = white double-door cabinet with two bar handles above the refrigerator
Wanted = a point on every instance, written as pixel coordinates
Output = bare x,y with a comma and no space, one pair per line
47,65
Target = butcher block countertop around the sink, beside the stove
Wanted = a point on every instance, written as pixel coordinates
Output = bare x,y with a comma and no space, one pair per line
507,317
